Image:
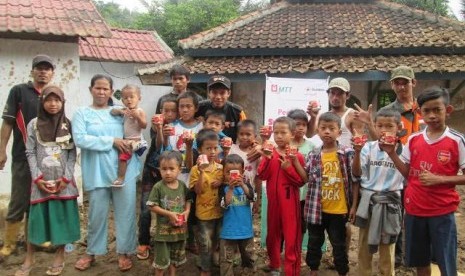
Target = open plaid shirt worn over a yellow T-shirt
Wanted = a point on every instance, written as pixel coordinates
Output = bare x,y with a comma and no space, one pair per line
313,168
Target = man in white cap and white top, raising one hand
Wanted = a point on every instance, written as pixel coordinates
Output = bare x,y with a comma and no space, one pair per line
338,94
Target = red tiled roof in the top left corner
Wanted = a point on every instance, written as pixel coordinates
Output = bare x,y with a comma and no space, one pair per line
52,17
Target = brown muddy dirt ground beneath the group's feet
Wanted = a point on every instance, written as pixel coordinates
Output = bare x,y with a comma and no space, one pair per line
107,265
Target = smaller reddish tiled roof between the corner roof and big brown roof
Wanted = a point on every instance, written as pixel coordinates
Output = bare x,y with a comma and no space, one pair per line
126,46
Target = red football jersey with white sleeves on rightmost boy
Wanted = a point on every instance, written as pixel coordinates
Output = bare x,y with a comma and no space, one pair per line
443,156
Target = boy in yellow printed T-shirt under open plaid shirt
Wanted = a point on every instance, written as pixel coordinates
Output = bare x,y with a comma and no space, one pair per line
332,195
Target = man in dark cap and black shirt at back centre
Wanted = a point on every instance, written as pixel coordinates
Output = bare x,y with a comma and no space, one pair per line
219,91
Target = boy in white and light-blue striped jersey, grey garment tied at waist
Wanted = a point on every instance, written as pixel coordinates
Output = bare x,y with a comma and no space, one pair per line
379,213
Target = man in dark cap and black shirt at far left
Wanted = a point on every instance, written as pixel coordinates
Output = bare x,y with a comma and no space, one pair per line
20,108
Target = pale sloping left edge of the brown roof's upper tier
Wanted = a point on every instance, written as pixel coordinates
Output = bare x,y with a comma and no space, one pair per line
199,38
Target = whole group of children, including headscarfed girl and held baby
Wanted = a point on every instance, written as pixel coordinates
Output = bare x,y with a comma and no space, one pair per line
209,184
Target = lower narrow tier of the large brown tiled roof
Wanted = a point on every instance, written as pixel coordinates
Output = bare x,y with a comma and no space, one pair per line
303,64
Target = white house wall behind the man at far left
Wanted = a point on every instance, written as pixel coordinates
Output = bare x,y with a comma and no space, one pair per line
15,66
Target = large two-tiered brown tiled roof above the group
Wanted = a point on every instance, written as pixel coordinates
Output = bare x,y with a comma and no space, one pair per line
350,38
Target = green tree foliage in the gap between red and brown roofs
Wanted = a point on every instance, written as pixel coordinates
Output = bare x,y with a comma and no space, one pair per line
178,19
